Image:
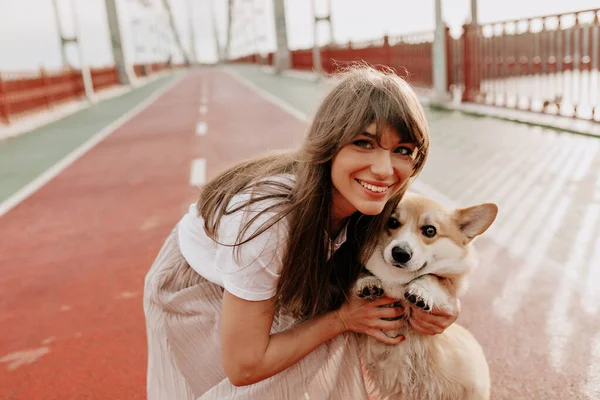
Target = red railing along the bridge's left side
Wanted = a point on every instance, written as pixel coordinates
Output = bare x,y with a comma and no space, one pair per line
25,93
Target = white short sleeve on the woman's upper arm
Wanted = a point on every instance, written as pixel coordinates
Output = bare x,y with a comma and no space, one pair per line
251,271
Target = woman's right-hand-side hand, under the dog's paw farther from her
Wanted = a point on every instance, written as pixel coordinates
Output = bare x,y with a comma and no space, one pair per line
435,321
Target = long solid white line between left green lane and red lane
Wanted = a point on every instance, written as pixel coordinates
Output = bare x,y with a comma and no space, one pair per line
69,159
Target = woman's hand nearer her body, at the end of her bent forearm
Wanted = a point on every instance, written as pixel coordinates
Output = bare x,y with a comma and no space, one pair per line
364,316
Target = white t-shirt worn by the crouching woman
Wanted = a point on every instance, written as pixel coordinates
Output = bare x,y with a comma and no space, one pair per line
255,273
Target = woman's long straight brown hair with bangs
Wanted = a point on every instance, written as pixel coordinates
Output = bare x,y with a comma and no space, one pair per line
310,284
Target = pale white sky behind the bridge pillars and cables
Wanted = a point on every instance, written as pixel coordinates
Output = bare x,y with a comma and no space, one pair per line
29,38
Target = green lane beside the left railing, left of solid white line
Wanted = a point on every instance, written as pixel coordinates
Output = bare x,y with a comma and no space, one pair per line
25,157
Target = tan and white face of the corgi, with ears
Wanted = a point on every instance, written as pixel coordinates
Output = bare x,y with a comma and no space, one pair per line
423,237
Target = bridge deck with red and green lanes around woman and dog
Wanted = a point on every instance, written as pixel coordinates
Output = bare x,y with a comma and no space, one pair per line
73,254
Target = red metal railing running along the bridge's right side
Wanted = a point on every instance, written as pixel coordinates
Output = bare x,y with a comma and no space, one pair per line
548,64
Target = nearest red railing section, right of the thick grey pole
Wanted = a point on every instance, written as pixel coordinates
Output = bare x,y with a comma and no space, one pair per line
545,64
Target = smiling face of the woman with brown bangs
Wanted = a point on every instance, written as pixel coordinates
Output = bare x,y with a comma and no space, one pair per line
365,175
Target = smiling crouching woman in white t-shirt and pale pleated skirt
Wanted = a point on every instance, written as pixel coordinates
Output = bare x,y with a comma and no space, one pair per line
249,297
